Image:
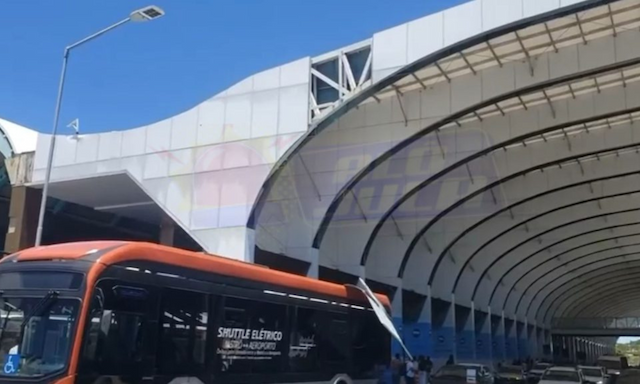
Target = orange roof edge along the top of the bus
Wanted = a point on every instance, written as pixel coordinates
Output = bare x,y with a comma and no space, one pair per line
117,252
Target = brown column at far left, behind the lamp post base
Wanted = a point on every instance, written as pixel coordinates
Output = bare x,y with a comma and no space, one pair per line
23,218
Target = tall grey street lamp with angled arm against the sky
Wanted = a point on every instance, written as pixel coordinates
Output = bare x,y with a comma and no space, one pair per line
149,13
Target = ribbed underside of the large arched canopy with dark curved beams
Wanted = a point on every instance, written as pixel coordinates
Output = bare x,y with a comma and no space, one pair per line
500,173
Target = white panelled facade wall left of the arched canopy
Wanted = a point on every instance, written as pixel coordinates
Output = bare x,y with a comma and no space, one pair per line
204,166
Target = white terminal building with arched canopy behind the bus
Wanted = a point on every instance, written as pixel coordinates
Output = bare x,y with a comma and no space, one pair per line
479,165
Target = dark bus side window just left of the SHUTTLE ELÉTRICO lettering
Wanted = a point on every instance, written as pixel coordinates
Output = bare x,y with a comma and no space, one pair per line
183,332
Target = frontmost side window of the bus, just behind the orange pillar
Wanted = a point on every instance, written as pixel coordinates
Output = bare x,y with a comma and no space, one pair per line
120,336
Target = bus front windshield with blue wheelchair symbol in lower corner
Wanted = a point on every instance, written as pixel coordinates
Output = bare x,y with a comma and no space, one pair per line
35,334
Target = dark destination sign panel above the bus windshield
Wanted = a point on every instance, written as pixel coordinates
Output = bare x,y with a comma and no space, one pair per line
40,280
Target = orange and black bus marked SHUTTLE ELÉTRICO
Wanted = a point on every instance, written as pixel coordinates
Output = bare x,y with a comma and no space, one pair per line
124,312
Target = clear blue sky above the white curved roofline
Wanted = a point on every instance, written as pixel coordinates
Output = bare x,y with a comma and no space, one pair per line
141,73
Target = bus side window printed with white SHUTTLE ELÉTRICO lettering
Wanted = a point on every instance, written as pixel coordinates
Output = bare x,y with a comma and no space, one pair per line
250,337
